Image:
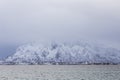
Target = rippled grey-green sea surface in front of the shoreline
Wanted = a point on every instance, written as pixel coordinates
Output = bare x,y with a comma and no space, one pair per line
59,72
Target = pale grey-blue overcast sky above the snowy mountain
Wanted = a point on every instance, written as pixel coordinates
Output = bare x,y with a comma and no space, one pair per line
33,20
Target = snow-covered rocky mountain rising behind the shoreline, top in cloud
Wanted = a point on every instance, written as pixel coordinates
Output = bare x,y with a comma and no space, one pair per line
64,53
